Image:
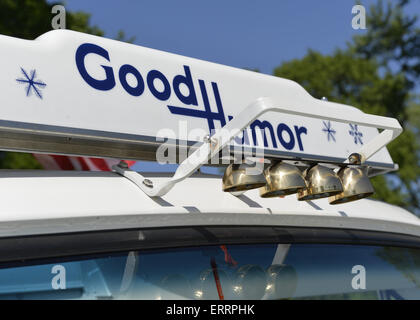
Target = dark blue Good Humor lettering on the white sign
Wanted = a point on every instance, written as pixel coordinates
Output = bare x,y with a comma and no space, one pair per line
285,135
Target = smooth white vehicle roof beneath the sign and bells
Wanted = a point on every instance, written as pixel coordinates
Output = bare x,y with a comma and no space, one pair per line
41,202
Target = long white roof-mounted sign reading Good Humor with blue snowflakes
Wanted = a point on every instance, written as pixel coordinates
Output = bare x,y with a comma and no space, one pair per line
73,93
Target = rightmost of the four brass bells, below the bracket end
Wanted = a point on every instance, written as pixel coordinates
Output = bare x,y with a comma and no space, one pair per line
356,185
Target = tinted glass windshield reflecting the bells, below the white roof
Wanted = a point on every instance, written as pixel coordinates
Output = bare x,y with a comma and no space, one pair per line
261,271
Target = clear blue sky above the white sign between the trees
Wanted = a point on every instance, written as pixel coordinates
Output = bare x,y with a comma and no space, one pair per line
240,33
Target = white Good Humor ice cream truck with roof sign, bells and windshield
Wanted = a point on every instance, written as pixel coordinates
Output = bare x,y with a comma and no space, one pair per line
283,211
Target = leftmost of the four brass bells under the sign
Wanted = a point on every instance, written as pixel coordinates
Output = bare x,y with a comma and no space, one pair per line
242,177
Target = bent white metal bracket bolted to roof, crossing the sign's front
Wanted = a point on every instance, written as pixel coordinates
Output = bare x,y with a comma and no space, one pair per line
391,130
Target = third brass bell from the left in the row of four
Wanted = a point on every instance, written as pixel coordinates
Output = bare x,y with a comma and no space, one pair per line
321,182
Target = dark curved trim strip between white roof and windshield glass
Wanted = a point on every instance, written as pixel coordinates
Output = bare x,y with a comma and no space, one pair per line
22,249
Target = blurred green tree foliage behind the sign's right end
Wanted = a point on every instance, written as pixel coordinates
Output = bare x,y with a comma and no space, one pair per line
378,73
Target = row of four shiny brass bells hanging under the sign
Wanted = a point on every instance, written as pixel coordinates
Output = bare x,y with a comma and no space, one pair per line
280,178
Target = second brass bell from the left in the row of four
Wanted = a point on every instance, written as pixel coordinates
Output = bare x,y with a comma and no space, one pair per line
282,179
